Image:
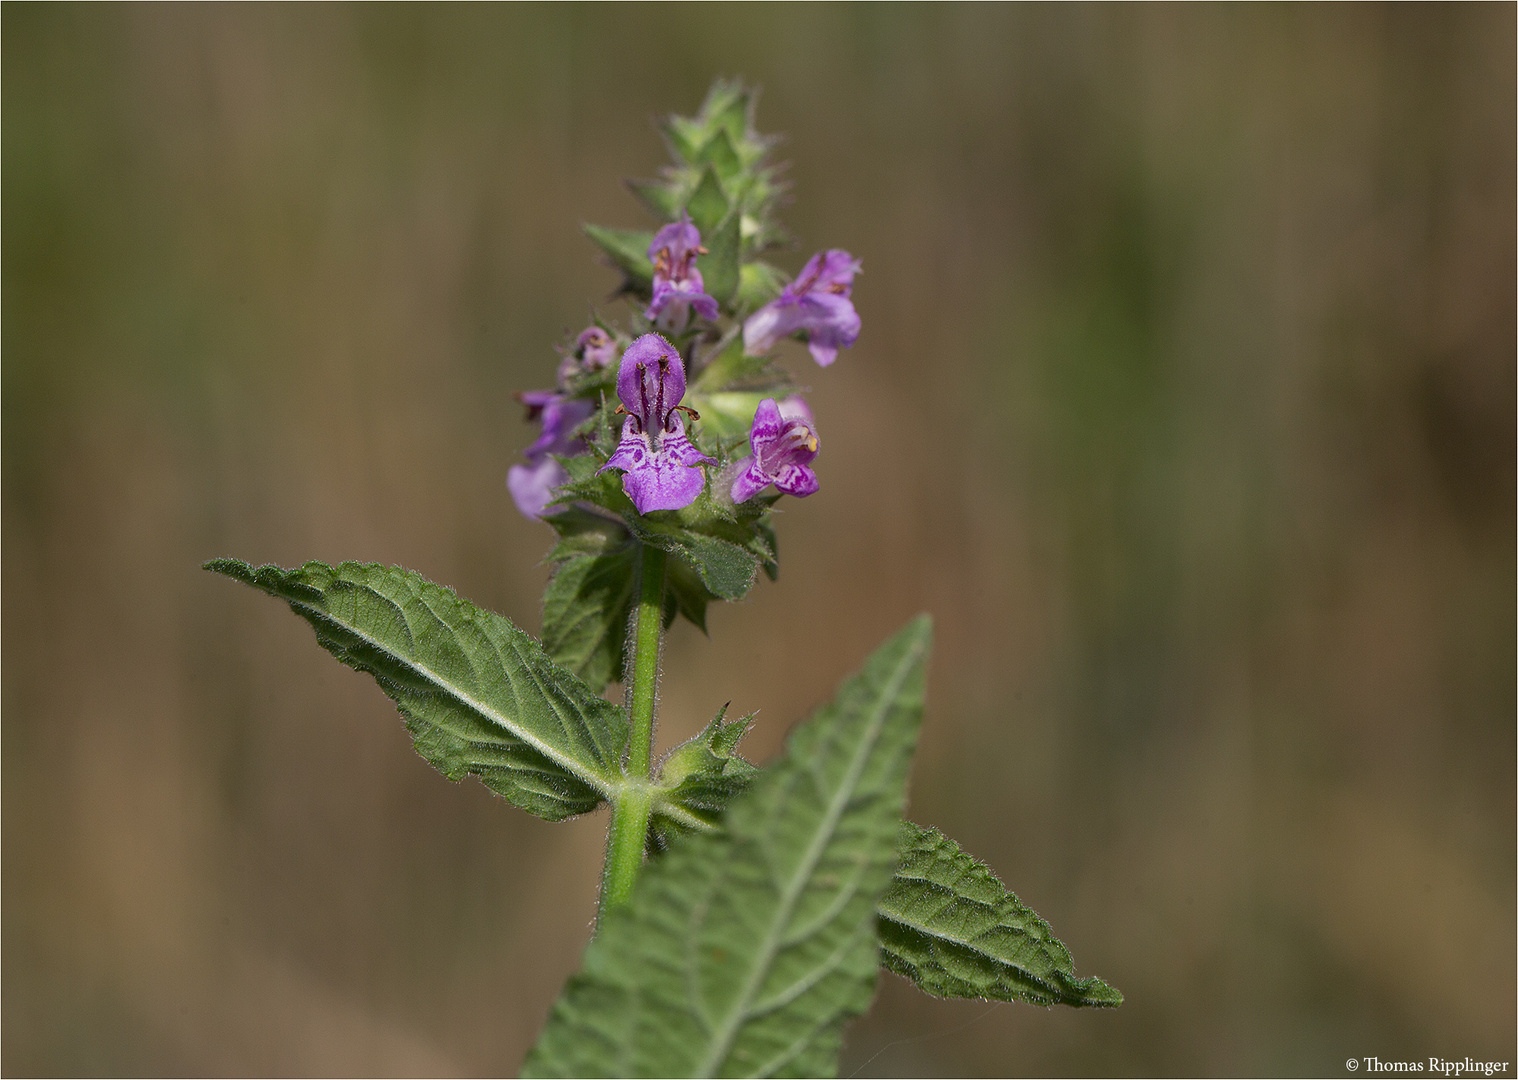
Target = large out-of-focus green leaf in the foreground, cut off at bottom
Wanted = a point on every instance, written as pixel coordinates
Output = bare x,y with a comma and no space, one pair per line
743,953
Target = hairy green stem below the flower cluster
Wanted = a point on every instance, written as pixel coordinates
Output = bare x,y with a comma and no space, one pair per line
625,842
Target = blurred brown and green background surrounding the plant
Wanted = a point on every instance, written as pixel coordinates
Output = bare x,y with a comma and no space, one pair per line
1185,403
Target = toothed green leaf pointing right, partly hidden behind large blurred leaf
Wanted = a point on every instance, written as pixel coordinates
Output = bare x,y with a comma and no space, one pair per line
953,927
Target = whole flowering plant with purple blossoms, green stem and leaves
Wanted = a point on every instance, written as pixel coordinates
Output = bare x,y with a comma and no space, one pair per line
745,912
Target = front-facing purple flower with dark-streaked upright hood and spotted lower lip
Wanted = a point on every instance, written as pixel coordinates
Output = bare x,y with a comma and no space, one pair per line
660,464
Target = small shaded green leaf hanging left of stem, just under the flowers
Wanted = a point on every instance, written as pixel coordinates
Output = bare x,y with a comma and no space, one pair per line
591,596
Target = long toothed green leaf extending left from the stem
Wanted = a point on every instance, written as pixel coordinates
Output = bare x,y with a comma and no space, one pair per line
479,696
